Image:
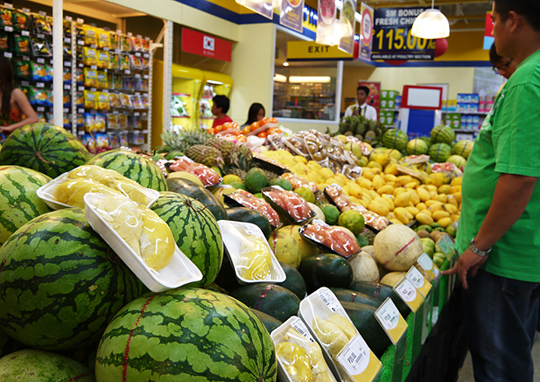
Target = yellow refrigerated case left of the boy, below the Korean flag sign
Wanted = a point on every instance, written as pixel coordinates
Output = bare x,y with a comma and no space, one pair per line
186,88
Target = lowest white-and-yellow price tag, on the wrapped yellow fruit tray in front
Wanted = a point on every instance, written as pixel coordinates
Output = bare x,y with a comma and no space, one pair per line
358,360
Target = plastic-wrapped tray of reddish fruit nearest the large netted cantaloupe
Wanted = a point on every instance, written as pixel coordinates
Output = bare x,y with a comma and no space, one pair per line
330,238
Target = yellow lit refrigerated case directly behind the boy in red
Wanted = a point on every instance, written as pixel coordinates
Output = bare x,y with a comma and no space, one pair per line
215,84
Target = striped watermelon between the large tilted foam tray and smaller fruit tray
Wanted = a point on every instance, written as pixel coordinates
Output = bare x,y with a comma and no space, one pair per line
195,231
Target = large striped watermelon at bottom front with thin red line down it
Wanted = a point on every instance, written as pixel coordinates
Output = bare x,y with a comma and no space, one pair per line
186,334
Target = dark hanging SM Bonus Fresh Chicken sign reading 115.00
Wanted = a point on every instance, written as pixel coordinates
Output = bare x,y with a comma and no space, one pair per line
392,39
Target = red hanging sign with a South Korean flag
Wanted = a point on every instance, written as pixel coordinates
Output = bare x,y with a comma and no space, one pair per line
206,45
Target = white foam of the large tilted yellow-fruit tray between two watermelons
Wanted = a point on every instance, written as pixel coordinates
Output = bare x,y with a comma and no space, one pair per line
180,270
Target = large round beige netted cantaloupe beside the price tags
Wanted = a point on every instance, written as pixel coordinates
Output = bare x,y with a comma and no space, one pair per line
397,247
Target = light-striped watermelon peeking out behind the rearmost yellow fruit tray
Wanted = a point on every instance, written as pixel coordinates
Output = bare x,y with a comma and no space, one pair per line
133,166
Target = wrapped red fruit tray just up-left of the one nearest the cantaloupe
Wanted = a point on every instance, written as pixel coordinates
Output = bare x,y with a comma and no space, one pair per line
294,208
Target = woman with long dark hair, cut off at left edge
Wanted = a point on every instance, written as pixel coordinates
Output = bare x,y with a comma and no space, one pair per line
16,111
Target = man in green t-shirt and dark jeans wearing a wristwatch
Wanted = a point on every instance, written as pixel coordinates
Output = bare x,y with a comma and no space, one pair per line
498,235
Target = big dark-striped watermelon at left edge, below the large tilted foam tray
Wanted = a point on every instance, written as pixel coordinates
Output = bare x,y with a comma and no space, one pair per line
60,284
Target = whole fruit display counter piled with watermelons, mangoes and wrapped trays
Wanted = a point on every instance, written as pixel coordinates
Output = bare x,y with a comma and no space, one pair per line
306,256
